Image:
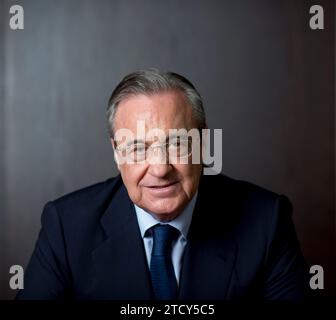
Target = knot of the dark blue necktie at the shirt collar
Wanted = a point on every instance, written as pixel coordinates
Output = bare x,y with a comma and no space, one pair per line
163,236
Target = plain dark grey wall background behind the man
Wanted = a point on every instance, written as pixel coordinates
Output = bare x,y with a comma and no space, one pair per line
267,80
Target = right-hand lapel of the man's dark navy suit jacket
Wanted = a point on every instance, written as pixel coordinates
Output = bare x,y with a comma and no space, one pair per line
210,254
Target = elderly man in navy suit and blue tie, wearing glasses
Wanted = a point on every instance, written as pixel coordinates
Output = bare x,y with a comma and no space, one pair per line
161,229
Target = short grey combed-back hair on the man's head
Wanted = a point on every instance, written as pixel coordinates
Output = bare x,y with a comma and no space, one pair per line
151,81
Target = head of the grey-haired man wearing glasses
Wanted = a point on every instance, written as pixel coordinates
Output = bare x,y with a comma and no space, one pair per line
159,101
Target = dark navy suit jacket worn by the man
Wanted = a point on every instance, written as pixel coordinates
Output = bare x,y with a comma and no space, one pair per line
241,245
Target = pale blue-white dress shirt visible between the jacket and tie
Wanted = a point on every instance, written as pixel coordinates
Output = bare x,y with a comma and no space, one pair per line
181,223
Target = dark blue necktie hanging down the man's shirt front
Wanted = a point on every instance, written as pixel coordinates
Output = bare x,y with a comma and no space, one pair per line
161,266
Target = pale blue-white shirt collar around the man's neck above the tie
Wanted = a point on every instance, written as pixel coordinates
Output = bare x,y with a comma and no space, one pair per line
181,222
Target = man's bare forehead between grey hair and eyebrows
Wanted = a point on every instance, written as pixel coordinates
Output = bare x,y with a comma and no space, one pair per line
164,111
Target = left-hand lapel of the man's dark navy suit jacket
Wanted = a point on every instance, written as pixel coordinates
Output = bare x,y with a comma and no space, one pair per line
121,269
